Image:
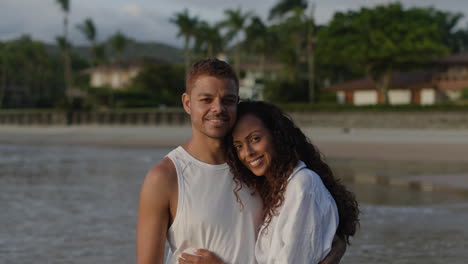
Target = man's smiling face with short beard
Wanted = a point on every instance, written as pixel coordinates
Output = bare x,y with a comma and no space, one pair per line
212,105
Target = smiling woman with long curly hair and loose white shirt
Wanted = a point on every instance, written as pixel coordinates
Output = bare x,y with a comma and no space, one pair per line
302,200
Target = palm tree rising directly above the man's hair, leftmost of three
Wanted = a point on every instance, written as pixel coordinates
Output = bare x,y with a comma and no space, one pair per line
187,29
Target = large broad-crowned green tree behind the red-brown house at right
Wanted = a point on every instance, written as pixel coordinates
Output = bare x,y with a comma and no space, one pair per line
382,40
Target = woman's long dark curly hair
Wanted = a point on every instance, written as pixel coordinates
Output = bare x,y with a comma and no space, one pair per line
290,145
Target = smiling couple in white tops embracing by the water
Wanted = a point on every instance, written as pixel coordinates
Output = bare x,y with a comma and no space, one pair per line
244,189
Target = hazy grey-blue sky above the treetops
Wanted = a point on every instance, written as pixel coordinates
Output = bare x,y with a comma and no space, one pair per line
148,20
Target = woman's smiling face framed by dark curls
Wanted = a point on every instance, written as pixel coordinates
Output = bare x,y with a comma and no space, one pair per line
253,143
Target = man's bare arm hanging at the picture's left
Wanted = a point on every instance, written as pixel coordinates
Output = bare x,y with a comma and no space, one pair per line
154,212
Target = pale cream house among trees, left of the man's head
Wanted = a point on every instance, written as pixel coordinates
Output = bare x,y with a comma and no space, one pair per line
117,75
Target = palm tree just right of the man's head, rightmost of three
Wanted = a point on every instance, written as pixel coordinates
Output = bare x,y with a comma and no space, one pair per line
235,24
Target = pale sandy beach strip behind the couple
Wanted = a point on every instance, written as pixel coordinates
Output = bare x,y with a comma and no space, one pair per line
361,155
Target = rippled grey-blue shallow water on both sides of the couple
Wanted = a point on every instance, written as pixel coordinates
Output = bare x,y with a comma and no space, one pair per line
69,204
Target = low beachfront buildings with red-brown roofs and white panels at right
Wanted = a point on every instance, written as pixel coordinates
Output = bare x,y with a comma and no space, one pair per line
443,84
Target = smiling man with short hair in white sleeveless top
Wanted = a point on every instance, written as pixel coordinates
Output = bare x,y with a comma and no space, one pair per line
188,197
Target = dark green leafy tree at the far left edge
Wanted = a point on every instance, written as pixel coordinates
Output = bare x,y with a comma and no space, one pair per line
29,76
